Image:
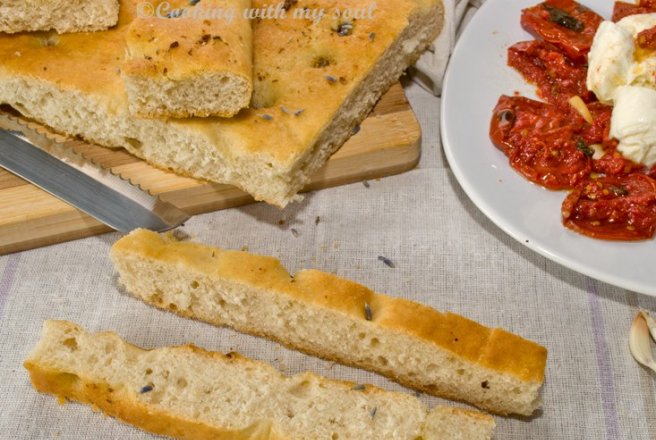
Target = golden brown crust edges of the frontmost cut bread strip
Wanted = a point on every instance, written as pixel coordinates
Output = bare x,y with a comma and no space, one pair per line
118,401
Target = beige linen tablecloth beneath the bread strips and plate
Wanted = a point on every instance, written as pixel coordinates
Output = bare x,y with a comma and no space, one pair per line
447,255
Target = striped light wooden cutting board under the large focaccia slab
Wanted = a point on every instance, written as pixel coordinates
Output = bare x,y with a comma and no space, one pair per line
388,143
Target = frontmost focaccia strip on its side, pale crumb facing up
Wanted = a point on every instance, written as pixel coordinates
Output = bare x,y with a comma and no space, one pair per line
189,393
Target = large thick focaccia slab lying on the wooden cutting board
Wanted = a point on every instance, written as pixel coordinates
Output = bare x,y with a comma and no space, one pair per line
313,84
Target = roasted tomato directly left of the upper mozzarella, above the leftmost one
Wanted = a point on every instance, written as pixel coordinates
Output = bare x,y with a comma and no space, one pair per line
556,76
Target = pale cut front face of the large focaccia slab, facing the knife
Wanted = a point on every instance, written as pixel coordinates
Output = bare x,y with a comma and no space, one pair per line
169,140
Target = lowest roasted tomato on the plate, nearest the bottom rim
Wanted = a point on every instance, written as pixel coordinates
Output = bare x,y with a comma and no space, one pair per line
613,208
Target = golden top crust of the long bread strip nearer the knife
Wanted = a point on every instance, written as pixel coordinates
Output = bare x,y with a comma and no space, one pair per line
495,349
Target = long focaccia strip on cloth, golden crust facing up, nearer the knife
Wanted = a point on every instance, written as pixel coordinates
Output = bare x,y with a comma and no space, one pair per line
439,353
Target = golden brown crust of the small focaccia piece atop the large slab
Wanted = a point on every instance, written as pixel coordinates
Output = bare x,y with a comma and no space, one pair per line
172,51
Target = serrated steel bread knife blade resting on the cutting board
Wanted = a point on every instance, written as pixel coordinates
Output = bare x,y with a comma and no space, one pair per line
71,177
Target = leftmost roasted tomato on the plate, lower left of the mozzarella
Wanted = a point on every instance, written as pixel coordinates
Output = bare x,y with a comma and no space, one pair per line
541,141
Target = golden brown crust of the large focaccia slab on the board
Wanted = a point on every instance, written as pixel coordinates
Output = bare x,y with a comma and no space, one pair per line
304,76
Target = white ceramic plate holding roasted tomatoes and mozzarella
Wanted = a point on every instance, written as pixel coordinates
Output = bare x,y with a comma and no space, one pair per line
476,77
